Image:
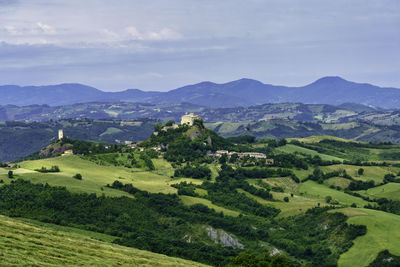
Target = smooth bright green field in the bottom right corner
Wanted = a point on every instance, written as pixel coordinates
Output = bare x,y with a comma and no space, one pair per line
382,233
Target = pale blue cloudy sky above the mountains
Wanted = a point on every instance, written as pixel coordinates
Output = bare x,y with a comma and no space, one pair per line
161,45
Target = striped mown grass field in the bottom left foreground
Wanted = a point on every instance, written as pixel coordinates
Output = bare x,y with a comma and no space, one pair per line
28,244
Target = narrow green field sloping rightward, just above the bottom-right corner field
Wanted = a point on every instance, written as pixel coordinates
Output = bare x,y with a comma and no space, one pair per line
313,189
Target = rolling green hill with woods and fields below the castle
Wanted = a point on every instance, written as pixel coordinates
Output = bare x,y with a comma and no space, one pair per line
210,208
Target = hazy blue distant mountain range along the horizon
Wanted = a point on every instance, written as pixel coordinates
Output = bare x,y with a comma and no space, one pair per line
243,92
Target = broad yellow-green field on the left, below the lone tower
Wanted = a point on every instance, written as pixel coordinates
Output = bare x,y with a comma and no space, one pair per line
95,176
